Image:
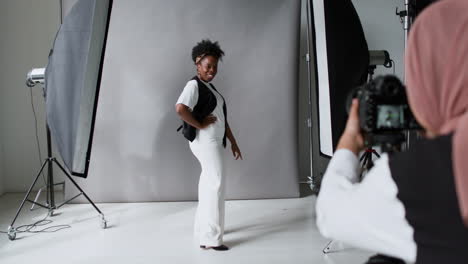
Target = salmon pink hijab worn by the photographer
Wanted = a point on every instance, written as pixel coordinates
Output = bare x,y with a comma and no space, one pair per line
437,81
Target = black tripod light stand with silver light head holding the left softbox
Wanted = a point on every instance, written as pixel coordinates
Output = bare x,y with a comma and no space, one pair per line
36,76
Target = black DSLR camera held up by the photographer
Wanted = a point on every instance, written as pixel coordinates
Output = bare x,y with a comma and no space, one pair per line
384,113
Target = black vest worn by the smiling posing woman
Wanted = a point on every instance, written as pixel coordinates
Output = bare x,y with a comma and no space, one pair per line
205,105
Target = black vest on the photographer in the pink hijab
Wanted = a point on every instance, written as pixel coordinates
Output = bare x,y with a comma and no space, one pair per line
426,188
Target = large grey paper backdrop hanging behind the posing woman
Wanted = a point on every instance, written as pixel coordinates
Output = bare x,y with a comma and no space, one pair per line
137,154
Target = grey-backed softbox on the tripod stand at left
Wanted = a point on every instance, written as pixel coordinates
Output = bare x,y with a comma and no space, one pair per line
72,81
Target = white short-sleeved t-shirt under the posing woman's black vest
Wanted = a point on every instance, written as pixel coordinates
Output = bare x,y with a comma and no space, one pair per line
214,133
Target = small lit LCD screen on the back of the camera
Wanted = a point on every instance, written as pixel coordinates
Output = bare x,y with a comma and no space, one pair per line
390,117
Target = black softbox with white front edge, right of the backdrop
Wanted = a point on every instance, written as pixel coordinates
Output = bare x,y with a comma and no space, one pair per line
341,63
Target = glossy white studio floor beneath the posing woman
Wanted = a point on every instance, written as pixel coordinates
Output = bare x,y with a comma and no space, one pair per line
258,231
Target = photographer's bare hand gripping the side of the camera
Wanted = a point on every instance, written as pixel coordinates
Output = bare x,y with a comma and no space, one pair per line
352,138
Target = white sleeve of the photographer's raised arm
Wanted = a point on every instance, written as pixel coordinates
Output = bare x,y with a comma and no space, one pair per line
368,214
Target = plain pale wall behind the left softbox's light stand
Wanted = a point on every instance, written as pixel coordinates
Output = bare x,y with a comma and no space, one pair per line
27,30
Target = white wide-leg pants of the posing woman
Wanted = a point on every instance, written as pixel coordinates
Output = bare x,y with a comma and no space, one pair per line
209,218
